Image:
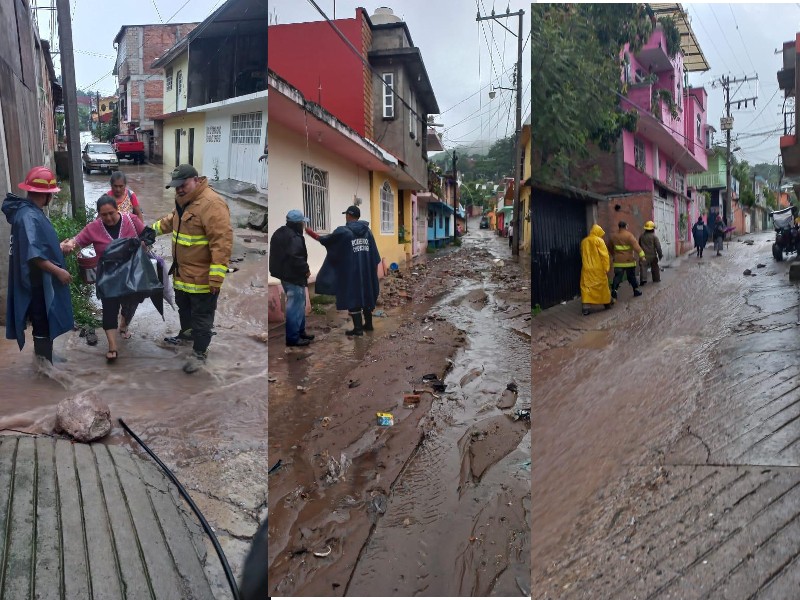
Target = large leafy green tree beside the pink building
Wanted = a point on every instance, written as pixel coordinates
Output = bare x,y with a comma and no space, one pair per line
576,81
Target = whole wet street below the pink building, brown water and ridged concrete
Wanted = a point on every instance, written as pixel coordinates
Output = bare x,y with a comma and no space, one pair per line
666,436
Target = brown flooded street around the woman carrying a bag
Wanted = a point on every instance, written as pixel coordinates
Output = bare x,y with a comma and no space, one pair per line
209,427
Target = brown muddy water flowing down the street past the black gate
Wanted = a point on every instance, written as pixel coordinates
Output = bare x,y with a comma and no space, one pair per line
613,398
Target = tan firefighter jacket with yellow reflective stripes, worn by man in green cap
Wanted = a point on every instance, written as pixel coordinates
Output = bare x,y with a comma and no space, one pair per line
202,239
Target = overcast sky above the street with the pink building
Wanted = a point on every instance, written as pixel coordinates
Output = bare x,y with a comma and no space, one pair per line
739,40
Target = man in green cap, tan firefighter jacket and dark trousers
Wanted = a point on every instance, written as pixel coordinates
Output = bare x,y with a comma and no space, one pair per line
202,241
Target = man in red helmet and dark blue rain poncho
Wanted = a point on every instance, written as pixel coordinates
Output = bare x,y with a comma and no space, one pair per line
38,282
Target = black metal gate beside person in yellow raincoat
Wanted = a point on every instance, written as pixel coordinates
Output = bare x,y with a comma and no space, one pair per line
559,225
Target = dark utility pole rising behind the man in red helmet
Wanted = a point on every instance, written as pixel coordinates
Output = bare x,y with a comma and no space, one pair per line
70,105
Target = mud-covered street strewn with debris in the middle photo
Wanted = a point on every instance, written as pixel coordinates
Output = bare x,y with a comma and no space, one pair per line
438,503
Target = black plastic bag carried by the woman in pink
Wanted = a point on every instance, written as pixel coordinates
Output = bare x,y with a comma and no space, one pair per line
125,270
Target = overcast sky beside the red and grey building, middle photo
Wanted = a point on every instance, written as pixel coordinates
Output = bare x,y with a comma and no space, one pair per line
454,49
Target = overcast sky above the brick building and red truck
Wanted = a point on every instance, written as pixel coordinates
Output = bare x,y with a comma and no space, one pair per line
96,22
